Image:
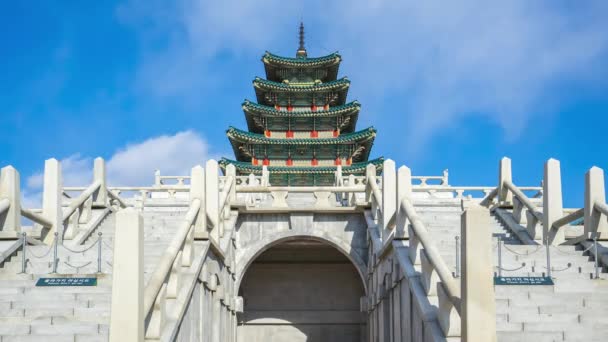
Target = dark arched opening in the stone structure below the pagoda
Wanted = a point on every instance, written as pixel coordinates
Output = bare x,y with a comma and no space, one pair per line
301,291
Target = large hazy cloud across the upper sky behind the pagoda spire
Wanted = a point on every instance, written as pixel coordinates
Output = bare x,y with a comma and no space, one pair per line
434,62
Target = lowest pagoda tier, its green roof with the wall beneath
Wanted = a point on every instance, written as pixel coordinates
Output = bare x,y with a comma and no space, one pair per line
301,175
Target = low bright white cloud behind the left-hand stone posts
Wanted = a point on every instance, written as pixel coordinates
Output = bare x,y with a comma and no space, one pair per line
132,165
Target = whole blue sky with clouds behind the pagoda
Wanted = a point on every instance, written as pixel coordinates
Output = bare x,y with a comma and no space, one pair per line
457,85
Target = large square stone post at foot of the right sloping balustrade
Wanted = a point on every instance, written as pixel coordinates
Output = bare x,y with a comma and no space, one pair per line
478,311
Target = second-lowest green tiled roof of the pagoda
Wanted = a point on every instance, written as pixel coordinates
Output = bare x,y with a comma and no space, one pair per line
248,137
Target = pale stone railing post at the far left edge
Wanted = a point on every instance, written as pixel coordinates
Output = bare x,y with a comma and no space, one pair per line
10,221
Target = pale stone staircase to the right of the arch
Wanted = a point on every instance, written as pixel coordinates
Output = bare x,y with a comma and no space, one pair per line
574,309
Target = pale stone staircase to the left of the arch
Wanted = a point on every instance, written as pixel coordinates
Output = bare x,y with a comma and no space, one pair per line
30,313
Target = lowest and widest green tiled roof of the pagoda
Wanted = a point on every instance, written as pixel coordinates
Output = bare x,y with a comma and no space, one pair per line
355,168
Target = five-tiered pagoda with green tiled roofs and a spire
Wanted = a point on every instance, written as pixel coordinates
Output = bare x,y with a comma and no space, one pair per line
301,127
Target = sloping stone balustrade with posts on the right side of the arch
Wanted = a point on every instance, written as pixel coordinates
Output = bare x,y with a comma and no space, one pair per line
427,277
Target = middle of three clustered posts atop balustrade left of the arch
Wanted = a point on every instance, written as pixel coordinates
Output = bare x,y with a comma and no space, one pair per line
212,199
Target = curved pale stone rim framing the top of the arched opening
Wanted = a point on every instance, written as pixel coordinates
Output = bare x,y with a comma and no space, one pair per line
254,251
